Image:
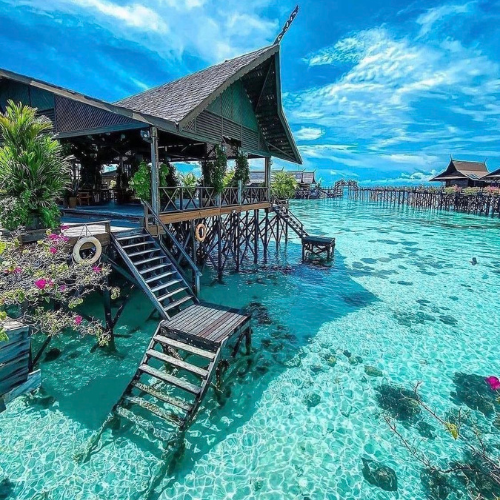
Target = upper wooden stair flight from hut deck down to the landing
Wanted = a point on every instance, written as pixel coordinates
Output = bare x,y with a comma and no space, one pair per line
154,271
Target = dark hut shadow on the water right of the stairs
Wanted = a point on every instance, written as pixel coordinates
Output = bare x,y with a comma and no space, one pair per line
278,343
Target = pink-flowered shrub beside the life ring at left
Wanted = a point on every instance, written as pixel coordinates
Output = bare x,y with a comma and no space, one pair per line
41,286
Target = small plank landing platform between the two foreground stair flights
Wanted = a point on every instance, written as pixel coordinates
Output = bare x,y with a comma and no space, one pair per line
207,324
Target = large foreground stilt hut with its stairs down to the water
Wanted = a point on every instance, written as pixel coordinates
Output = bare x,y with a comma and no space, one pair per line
220,113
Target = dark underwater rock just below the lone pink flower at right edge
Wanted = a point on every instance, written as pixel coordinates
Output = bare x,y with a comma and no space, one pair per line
473,391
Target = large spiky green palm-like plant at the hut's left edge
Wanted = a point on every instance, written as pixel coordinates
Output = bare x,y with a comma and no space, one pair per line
33,169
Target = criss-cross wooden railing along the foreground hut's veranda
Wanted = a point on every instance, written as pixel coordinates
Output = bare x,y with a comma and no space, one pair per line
178,199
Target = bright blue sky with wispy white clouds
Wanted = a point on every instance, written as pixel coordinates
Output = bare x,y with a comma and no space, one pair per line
379,90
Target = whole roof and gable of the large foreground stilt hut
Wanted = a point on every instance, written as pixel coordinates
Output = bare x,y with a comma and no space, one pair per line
180,107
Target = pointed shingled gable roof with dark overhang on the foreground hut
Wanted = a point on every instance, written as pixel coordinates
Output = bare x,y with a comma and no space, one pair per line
181,101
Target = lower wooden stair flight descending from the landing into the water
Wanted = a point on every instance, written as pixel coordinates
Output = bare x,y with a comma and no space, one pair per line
170,382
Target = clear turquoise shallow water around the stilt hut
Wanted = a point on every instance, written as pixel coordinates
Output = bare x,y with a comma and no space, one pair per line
299,415
